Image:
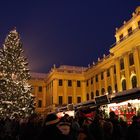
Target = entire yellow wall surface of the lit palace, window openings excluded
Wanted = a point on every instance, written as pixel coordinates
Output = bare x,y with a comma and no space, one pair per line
120,50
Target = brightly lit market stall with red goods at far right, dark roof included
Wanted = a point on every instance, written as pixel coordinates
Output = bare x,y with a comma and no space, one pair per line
126,104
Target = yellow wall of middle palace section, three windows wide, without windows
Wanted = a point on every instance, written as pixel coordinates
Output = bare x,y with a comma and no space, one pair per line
65,90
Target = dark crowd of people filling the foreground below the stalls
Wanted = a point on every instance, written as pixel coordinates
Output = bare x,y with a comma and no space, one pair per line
70,128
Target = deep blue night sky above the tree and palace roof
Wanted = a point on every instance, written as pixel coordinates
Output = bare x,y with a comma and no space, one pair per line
64,32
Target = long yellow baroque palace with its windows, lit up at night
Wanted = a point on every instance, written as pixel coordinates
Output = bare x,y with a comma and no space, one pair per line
116,72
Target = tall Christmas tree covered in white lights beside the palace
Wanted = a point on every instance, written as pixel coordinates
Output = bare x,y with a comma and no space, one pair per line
16,99
